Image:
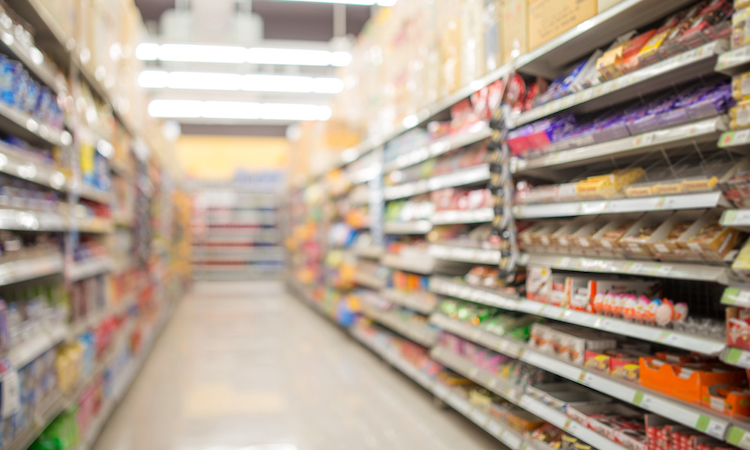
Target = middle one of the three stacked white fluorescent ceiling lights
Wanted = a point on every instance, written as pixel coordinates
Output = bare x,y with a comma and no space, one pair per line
158,79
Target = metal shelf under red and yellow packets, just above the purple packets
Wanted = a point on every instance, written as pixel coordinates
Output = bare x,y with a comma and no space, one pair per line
686,66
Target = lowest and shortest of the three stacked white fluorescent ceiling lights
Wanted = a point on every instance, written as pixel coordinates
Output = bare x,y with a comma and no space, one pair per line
193,109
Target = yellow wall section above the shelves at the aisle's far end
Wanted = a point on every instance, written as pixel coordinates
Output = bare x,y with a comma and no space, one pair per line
217,157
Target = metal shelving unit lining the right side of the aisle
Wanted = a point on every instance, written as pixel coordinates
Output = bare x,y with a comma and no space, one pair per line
444,258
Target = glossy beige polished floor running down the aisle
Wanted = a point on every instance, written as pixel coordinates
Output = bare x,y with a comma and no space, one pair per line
245,366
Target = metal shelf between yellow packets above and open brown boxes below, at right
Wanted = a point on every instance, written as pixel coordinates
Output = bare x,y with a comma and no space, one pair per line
624,205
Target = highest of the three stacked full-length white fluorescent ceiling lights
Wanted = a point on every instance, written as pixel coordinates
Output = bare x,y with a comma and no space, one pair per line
240,55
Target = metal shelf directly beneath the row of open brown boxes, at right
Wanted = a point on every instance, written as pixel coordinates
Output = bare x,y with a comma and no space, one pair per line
678,271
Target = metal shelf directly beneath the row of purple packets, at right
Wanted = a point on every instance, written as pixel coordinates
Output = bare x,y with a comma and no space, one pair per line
697,132
